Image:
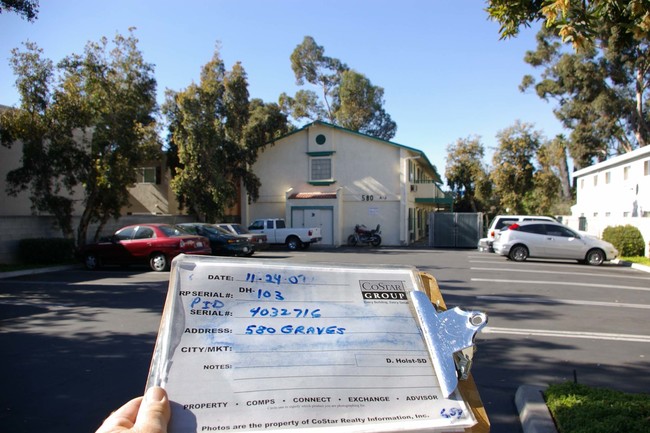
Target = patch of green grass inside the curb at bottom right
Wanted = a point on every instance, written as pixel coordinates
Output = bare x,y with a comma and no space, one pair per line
579,408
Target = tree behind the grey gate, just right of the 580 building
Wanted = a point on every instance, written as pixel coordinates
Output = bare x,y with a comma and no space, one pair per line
466,174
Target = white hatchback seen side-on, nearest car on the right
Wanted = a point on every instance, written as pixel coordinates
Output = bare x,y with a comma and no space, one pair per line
546,239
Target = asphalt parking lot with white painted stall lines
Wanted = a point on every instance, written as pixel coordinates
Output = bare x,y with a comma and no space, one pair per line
77,344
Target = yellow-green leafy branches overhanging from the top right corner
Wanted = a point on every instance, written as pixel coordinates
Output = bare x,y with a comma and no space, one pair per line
575,21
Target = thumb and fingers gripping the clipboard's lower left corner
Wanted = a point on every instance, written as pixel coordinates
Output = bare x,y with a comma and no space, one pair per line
148,414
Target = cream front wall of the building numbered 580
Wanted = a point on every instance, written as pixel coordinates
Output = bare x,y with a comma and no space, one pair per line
368,180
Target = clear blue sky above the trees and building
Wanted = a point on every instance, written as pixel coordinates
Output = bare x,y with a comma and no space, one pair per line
446,74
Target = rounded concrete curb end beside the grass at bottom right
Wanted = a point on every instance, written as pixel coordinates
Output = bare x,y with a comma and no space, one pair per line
533,412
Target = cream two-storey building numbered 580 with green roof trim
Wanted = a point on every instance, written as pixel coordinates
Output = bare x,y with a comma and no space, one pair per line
329,177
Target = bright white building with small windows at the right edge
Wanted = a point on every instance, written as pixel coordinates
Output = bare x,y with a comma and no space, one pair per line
614,192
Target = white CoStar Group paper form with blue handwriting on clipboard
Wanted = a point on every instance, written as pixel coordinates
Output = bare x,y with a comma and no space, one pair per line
265,345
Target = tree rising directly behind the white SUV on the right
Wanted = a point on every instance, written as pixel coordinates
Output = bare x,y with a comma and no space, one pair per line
513,166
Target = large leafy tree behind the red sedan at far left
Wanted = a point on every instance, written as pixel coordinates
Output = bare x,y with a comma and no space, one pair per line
86,128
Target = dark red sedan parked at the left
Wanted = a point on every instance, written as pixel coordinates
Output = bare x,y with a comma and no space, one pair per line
155,244
